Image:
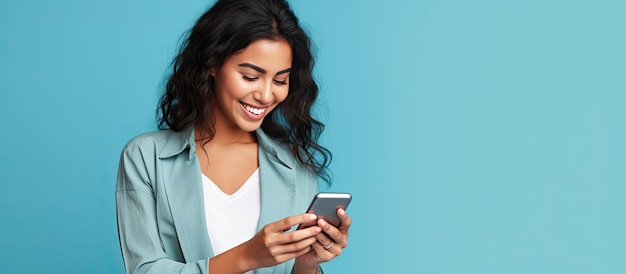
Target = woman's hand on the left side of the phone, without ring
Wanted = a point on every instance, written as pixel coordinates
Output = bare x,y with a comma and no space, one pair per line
272,245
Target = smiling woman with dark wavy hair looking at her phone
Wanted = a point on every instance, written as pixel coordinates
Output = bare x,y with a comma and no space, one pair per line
221,187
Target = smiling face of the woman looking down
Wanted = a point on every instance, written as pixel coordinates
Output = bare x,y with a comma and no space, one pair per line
251,83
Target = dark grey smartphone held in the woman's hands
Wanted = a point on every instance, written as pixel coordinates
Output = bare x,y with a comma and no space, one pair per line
325,205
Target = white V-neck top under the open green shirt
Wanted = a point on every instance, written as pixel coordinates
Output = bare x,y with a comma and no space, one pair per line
232,219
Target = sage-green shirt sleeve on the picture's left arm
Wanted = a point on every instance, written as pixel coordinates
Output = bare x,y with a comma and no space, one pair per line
141,245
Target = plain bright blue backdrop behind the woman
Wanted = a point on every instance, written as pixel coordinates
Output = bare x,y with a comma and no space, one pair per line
476,136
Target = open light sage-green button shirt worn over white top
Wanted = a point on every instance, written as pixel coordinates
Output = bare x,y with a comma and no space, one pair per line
160,206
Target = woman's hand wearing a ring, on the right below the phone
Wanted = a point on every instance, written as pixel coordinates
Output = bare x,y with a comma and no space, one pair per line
329,244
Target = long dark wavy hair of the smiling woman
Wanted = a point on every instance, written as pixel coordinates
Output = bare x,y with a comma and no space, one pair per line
230,26
